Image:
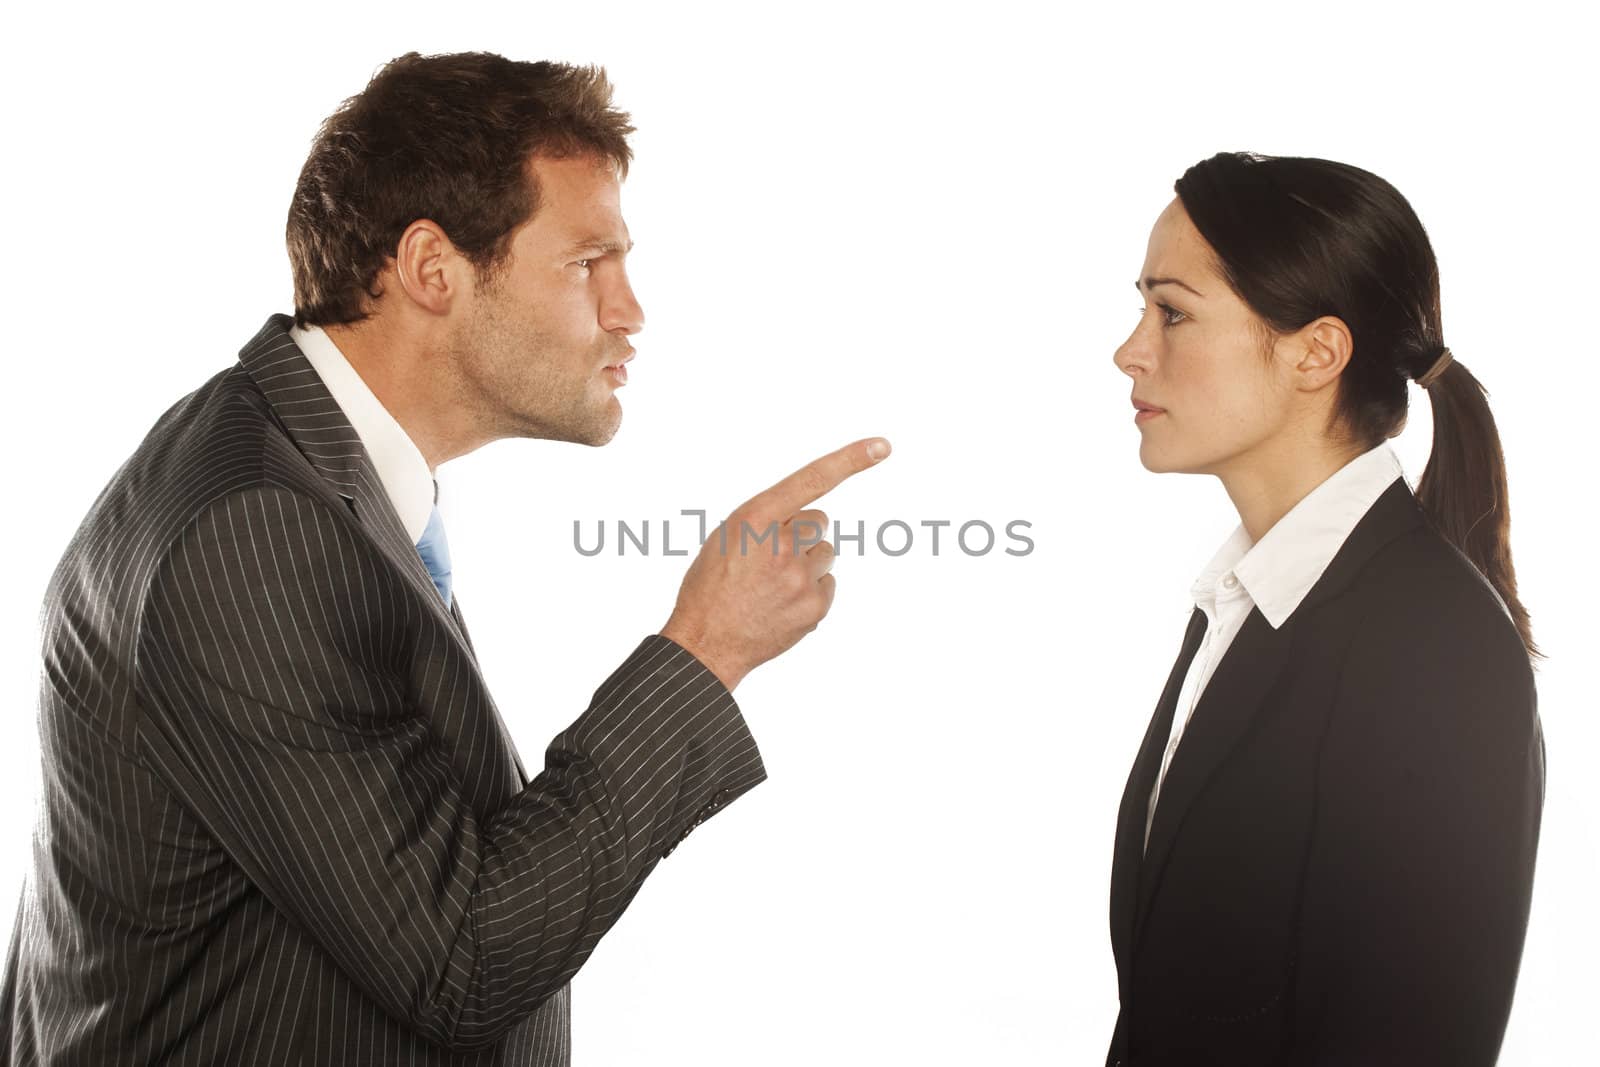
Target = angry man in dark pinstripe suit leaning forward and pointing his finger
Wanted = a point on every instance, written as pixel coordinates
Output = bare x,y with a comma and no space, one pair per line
282,820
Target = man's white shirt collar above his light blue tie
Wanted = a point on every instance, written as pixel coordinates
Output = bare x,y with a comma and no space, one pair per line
396,457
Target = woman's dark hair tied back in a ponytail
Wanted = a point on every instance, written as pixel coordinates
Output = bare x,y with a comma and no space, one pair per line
1298,239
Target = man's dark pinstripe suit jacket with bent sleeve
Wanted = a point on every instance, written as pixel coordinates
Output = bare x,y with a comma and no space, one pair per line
282,821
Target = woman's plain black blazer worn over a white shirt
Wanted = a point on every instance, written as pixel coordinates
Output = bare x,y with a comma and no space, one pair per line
1343,850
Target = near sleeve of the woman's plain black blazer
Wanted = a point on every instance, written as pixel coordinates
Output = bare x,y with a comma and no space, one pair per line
1420,876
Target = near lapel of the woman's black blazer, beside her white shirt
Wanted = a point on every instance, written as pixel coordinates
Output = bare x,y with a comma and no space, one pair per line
1239,685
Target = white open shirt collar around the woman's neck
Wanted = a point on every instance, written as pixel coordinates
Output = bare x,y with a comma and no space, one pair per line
1279,570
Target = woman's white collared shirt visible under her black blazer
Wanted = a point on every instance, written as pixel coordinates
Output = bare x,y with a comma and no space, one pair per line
1273,575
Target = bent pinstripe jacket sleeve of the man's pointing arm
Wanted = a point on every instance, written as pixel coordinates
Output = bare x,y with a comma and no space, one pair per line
278,706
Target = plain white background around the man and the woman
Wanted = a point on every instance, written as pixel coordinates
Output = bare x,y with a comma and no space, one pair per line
919,223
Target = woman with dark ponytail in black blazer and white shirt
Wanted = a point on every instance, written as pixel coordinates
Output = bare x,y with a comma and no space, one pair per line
1340,855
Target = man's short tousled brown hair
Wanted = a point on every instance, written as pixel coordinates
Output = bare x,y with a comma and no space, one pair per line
442,138
